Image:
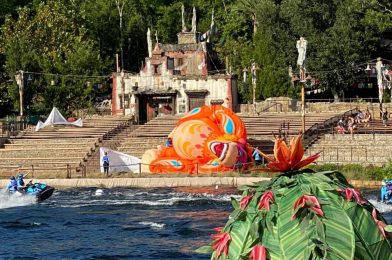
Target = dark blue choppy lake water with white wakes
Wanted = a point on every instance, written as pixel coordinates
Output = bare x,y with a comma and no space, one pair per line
117,223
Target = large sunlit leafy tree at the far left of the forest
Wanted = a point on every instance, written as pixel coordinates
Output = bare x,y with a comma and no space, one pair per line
50,41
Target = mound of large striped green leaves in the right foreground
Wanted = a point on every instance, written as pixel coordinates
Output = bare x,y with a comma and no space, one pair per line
345,230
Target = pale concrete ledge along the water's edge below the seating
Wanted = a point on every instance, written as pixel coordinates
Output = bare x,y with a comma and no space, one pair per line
165,182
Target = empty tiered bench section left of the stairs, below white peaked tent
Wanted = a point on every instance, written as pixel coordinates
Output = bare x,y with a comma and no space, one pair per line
56,151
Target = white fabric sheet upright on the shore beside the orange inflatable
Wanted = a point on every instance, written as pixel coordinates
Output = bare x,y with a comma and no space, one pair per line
119,162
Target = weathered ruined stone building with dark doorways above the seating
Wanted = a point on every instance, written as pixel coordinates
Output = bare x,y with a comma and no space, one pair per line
175,79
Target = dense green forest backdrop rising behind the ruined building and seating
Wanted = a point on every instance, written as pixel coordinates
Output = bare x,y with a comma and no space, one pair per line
69,46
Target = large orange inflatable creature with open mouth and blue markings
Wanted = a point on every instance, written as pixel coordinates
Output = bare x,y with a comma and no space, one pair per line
207,139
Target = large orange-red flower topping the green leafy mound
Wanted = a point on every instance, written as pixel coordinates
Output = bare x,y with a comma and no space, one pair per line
288,158
